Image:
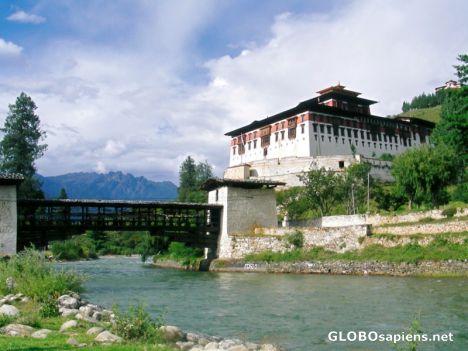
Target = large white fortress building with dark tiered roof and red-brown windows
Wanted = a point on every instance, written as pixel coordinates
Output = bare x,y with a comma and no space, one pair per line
331,130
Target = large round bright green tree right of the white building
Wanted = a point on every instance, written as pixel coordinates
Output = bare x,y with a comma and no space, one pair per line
422,174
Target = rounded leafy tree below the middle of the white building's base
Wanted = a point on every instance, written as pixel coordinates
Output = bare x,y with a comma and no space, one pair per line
323,189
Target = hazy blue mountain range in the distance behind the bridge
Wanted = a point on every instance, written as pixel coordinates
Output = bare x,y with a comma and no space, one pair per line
109,186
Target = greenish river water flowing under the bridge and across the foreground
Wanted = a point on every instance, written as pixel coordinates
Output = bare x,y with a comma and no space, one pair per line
295,311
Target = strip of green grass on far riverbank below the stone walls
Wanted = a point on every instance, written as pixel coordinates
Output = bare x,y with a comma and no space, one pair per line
440,249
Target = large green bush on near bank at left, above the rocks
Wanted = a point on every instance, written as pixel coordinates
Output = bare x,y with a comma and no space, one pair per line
36,277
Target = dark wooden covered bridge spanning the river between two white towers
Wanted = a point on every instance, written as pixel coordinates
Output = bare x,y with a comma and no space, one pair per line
42,221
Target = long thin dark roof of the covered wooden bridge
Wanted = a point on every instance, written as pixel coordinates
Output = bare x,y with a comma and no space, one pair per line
116,203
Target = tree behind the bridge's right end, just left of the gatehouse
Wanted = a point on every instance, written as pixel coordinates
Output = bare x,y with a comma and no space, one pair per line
191,177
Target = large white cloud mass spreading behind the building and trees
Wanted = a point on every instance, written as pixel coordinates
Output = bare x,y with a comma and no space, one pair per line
127,108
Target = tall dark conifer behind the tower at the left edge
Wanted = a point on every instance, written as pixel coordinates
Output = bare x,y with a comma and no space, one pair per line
20,146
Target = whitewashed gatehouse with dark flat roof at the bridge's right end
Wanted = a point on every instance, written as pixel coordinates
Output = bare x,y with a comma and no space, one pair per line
247,204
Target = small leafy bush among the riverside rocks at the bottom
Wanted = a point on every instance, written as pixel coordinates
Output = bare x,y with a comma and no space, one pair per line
137,324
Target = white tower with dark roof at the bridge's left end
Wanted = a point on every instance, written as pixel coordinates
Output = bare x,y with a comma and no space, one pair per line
8,213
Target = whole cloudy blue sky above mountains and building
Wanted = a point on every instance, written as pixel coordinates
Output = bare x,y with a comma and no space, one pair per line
138,85
